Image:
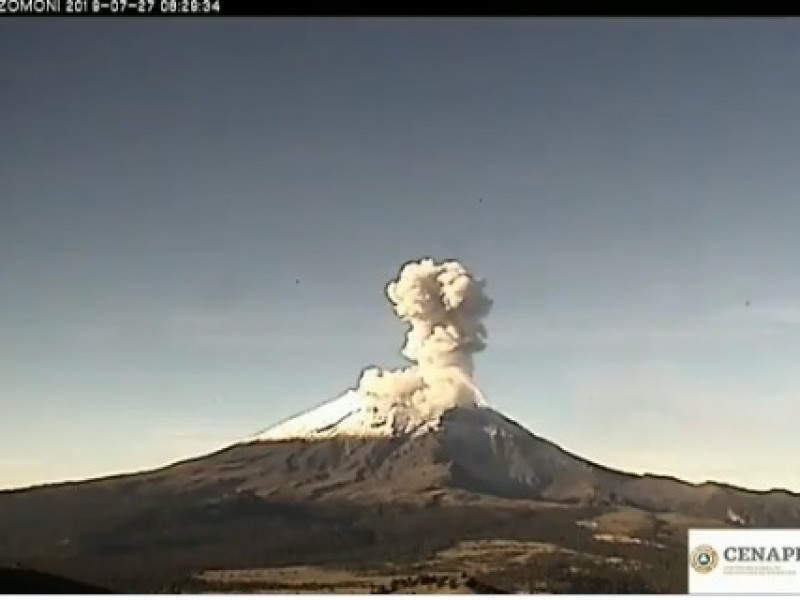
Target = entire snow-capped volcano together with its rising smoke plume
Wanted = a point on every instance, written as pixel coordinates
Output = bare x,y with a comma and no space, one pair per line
411,471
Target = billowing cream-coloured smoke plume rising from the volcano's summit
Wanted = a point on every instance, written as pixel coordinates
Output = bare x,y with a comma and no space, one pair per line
443,305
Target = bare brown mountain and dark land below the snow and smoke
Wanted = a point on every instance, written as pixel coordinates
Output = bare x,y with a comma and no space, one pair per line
479,494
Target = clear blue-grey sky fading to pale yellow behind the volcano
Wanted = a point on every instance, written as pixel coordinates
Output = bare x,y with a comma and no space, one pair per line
197,221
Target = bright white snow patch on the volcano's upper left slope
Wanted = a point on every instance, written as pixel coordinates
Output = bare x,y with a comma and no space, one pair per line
350,415
